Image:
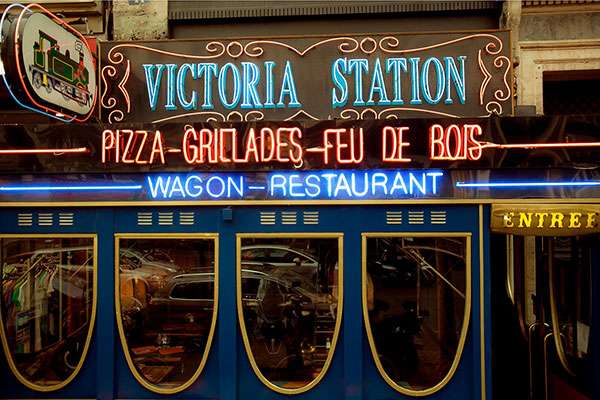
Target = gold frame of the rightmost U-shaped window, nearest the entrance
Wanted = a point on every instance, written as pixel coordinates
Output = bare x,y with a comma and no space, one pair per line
466,317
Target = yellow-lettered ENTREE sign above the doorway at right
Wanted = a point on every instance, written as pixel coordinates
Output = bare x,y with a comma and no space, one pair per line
546,220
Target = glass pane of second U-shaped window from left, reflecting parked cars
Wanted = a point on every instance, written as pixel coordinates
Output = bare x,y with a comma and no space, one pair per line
167,295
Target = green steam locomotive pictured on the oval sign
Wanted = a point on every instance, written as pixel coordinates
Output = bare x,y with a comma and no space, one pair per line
54,70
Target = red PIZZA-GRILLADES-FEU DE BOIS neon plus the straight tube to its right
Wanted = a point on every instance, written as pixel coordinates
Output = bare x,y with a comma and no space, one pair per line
290,146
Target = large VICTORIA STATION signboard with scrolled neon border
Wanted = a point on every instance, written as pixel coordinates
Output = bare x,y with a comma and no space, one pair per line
307,78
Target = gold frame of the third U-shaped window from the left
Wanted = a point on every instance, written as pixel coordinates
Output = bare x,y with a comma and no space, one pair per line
340,303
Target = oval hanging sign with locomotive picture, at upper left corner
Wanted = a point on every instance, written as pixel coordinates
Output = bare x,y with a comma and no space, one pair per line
49,65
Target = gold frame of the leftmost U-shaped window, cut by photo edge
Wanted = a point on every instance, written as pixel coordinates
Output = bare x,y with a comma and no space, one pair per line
88,340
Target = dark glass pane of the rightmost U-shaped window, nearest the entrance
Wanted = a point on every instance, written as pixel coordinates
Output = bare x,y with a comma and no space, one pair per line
416,293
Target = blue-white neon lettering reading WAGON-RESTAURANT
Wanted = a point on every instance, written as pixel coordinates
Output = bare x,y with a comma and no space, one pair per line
330,185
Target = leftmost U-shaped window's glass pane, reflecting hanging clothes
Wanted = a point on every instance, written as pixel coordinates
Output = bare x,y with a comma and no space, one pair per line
47,306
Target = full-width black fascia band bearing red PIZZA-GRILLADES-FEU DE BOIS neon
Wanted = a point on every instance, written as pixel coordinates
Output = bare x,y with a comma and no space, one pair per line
534,143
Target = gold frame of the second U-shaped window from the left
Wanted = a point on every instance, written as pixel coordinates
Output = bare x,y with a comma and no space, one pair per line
151,387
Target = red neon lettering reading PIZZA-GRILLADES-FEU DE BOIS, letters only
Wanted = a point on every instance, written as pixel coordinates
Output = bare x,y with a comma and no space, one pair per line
284,145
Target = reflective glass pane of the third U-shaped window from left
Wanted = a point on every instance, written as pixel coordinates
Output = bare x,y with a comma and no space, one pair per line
289,299
